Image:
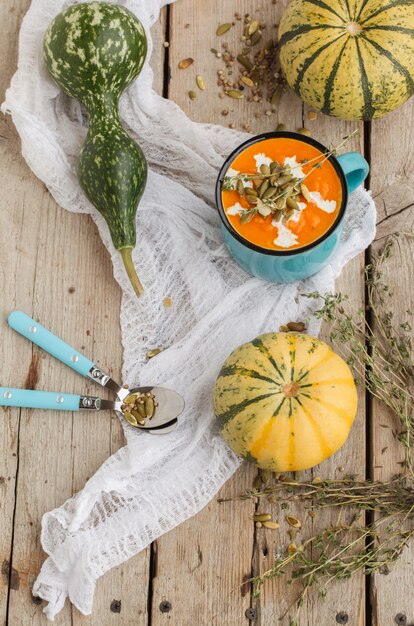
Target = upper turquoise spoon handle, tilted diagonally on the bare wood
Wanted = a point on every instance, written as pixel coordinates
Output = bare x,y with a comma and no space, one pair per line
46,340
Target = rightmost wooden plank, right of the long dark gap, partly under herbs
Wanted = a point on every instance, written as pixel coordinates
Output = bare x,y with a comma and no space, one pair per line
393,189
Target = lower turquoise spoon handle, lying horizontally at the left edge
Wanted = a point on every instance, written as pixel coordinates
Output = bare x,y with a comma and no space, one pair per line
39,399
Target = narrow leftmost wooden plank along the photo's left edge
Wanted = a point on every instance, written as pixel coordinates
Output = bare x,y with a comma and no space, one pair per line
14,359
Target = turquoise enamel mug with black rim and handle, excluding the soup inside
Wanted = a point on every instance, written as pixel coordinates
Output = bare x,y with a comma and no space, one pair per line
284,266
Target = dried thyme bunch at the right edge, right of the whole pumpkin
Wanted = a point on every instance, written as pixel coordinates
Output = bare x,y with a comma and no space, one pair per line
378,351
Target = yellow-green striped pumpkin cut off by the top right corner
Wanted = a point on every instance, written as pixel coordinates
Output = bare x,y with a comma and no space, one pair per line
352,59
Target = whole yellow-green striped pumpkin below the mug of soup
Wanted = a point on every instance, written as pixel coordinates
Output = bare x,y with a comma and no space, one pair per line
285,401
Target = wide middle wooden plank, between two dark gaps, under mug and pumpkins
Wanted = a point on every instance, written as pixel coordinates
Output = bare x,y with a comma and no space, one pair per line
206,595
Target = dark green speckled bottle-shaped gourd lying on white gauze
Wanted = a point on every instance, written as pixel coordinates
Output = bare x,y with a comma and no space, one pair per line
93,52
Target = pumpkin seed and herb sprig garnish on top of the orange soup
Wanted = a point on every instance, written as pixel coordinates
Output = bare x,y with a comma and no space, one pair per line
275,189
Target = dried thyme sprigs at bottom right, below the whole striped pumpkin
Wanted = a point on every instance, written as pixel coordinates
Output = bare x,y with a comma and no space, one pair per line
338,552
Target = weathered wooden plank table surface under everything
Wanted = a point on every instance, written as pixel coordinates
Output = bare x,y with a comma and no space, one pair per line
54,266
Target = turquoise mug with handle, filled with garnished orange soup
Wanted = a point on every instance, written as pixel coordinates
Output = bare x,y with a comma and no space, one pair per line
282,198
